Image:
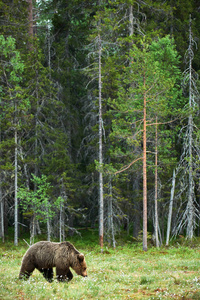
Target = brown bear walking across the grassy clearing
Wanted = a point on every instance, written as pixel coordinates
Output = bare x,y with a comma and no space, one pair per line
46,255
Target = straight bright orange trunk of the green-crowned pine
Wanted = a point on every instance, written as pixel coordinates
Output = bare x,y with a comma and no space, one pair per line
144,177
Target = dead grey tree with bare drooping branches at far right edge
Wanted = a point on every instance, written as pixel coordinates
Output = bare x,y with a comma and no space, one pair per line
189,161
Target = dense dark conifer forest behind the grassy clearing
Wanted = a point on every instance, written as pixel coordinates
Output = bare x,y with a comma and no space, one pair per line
99,119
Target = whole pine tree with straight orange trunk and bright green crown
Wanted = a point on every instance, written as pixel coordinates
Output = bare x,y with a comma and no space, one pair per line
153,79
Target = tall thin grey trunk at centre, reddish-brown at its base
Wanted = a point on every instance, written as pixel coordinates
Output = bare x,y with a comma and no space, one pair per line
101,204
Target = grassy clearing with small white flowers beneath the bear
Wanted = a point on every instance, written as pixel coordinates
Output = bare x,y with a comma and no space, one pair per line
124,273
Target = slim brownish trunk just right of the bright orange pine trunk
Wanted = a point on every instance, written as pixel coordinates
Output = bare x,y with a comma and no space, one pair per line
156,186
